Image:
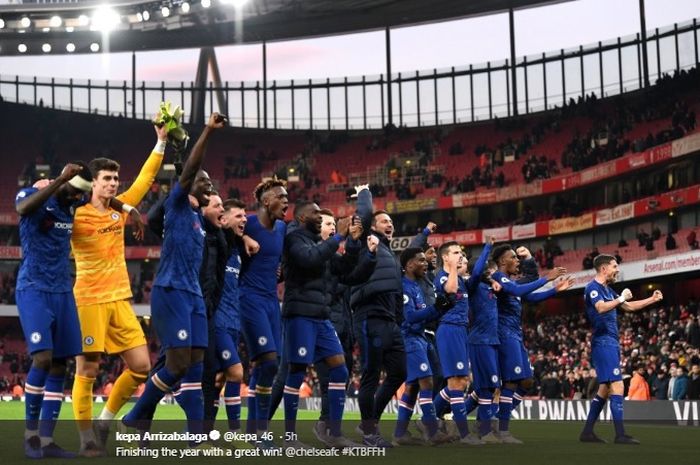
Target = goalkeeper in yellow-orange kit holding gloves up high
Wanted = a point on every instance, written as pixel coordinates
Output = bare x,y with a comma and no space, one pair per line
103,291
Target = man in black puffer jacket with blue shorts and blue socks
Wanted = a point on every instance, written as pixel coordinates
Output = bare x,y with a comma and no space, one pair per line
309,334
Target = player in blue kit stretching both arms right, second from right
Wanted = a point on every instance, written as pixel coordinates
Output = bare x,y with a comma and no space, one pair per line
513,360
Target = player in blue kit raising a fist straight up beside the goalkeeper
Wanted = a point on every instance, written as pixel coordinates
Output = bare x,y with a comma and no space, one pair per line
177,307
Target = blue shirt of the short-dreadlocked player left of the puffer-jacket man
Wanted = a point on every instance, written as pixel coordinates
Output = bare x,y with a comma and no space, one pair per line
260,271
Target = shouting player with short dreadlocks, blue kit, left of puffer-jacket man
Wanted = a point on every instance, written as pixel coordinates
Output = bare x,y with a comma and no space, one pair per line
260,310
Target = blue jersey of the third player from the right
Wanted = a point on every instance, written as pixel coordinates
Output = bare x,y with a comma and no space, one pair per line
483,315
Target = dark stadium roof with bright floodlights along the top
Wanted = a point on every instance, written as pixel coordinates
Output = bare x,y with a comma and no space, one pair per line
220,24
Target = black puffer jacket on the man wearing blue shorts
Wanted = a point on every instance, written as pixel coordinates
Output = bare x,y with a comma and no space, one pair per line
308,266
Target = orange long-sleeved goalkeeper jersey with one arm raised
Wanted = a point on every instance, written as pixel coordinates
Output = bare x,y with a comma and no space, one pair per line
98,243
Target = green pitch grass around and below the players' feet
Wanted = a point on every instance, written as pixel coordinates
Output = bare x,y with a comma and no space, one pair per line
546,443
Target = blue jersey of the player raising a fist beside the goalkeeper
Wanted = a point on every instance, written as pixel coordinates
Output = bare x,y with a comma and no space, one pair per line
183,244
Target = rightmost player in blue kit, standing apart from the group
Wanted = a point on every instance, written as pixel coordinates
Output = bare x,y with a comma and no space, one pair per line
602,303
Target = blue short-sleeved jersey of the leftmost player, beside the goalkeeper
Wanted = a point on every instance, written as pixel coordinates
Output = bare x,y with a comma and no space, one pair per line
45,240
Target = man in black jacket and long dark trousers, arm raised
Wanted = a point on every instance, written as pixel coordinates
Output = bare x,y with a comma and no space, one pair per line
376,306
